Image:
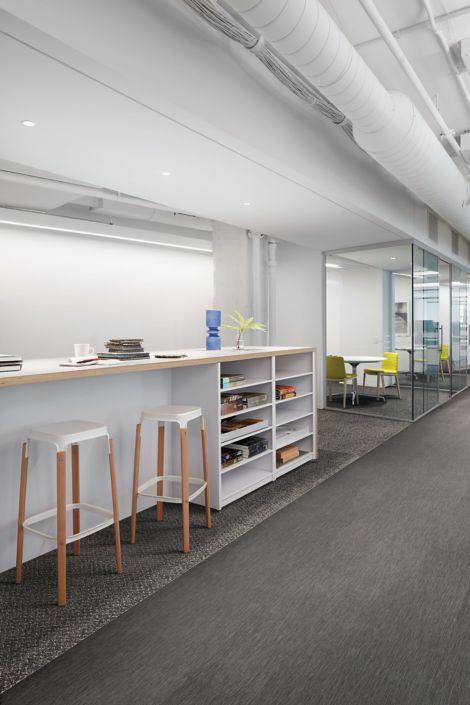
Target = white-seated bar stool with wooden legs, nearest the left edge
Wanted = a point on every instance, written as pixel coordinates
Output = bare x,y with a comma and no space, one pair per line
61,436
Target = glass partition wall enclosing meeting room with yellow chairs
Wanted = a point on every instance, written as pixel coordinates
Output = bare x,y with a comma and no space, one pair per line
397,330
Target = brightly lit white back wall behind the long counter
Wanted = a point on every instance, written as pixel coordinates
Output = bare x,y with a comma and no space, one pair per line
57,289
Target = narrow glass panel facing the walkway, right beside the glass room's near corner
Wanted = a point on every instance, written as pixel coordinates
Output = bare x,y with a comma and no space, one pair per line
425,331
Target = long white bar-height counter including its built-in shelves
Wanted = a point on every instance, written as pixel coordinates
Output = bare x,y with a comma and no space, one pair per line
44,392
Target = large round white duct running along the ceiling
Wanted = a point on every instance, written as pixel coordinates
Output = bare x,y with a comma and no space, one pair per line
385,124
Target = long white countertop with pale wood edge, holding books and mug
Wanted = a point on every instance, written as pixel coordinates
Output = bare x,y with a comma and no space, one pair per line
49,370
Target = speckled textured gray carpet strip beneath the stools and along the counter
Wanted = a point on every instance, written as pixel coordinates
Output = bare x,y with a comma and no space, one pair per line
34,631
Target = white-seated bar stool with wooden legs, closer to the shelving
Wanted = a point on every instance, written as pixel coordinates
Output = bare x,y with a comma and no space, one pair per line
180,415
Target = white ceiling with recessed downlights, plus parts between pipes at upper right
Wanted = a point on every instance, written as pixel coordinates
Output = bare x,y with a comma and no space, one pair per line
113,112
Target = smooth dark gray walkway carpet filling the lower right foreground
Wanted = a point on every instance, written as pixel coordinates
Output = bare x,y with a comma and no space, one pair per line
355,594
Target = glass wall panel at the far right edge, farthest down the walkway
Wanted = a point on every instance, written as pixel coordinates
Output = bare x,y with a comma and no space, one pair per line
459,329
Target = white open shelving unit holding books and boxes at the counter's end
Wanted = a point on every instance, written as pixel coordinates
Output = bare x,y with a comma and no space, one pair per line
262,373
